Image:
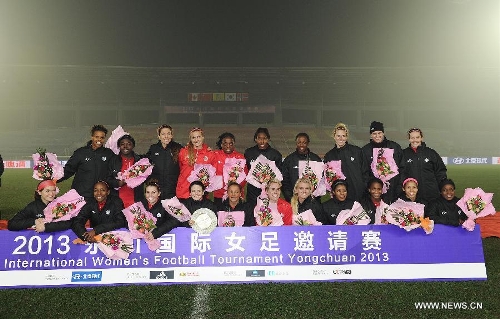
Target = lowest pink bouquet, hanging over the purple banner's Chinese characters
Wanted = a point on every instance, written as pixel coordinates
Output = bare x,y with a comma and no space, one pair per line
116,244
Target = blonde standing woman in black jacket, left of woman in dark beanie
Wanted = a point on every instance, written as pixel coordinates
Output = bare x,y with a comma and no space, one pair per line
354,165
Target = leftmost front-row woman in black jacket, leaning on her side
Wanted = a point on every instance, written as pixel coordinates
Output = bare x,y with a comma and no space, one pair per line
32,215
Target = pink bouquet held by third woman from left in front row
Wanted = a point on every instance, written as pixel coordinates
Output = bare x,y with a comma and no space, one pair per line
140,222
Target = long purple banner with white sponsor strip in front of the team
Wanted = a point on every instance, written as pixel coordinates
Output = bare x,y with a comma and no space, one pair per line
243,254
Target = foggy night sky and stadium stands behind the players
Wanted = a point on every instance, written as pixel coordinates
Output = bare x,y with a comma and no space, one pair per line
66,65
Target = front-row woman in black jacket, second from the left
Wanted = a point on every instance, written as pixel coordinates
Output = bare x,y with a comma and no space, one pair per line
103,211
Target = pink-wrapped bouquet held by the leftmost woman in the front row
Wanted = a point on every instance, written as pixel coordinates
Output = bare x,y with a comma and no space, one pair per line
64,208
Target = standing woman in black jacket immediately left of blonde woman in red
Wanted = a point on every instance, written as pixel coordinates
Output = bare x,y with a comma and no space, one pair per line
164,156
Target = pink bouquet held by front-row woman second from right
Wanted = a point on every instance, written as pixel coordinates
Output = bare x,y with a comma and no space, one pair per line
407,215
